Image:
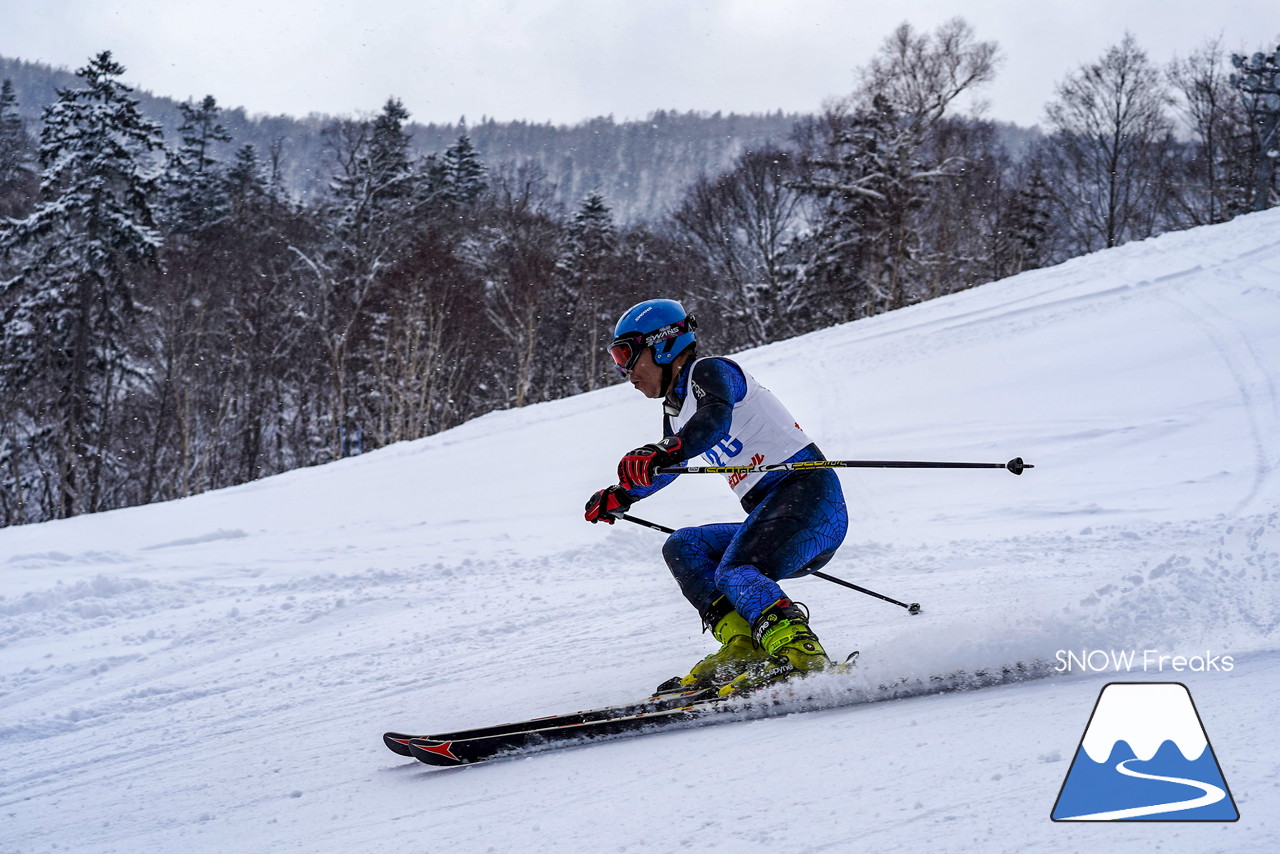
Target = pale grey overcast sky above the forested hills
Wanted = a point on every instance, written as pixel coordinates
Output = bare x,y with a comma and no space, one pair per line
568,61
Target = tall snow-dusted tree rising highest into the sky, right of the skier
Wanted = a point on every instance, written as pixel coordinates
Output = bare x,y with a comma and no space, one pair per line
871,167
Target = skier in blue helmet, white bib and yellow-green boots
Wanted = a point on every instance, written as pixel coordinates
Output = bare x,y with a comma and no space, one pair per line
796,520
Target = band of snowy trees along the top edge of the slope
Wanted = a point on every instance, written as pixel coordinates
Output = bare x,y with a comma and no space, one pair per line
175,322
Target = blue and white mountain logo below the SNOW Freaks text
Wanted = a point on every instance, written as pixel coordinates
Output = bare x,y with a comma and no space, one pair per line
1145,756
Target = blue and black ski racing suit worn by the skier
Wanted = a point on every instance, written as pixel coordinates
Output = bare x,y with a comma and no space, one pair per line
796,520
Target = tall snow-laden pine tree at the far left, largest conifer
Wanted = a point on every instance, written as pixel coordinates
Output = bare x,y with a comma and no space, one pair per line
70,312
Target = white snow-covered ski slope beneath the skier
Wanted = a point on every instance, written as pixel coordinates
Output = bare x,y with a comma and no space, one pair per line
216,674
